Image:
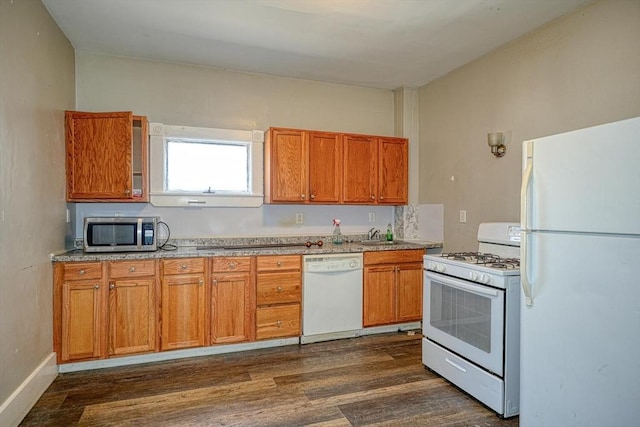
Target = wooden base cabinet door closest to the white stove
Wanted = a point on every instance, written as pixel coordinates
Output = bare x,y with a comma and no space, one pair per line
409,277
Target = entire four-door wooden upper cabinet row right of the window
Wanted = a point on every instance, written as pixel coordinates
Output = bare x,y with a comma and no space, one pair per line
307,167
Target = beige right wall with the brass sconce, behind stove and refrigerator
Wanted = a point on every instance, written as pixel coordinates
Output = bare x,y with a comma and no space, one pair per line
579,71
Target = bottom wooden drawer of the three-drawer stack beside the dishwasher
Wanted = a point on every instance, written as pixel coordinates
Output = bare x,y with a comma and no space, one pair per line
278,321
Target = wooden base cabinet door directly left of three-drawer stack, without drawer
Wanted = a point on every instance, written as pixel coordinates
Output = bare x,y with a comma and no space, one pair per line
231,308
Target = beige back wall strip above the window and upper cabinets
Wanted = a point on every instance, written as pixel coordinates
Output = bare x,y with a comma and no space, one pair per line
197,96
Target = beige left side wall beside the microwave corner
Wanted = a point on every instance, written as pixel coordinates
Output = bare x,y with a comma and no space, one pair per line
36,86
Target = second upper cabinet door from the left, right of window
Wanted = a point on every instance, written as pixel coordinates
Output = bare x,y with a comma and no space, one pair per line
325,167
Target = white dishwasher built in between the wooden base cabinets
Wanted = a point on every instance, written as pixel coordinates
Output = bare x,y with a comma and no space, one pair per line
331,297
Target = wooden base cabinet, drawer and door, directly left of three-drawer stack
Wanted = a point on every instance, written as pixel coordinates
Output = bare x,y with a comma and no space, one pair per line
232,300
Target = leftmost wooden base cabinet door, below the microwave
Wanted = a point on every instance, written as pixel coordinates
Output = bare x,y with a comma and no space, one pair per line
83,317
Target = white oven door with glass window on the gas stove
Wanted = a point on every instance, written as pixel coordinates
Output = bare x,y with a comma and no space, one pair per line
465,318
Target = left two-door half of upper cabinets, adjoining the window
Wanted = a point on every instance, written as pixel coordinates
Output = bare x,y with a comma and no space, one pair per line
302,166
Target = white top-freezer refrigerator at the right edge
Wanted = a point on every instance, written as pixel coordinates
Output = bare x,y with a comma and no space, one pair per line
580,273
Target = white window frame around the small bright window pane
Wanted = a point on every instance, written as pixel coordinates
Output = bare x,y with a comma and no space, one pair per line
159,196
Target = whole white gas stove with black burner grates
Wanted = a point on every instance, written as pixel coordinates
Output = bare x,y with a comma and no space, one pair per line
471,321
